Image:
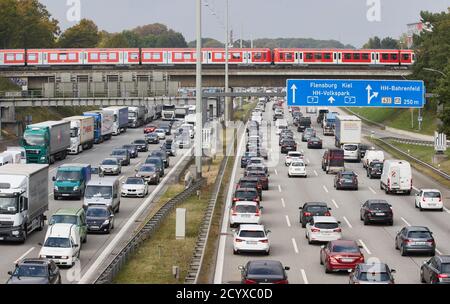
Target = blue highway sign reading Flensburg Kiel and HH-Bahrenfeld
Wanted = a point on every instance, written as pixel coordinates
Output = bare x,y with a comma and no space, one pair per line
355,93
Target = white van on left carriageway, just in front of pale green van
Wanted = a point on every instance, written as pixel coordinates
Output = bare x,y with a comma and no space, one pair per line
62,244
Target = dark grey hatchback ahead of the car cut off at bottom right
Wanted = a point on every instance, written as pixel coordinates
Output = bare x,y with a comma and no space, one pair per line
415,239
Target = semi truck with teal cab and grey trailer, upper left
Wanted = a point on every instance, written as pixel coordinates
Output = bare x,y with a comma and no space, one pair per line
46,142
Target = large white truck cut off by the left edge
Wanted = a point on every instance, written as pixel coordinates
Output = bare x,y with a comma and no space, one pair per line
23,200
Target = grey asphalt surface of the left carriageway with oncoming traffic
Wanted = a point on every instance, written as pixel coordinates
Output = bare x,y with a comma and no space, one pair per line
97,244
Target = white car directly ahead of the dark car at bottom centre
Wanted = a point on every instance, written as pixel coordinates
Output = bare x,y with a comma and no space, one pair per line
251,238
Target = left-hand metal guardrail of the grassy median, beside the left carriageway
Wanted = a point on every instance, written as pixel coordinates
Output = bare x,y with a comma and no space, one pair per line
144,233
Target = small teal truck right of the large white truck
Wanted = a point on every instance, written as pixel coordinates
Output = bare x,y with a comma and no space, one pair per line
71,180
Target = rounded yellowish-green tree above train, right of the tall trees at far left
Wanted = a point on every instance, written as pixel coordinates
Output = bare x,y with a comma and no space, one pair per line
82,35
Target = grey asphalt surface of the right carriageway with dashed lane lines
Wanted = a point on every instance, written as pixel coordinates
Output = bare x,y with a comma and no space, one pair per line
281,216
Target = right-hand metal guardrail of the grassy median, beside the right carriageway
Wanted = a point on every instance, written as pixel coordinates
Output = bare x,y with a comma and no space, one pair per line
203,235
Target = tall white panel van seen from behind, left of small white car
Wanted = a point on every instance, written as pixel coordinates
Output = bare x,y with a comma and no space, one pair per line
396,177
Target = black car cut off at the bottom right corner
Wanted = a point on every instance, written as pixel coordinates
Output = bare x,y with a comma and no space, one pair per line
436,270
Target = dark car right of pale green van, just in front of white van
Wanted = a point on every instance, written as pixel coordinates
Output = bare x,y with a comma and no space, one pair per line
99,218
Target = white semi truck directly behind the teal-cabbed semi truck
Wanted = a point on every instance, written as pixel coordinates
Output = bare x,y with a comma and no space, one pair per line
81,133
